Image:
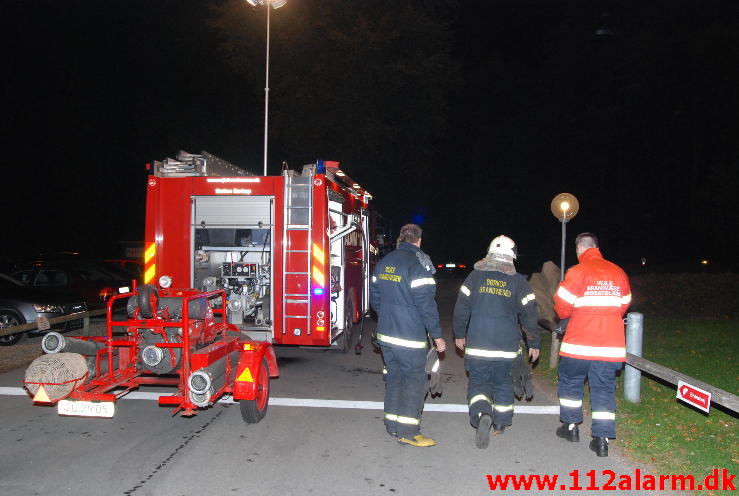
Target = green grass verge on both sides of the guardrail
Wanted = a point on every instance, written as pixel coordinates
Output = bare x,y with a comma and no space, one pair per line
664,432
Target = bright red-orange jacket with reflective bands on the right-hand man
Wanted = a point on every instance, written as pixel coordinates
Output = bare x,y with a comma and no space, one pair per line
595,296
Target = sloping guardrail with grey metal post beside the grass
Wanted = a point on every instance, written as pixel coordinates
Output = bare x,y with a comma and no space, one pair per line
635,364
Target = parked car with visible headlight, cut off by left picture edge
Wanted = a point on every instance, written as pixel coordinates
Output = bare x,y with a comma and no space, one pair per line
21,304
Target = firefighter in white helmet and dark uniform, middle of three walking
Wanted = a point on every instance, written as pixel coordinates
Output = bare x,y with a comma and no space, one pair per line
492,304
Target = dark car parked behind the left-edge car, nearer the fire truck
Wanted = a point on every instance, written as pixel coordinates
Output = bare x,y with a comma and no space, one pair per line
94,280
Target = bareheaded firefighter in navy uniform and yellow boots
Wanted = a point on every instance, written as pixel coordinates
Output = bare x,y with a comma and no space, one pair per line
402,293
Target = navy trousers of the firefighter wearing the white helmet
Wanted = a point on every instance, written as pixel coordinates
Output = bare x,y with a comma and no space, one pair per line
490,390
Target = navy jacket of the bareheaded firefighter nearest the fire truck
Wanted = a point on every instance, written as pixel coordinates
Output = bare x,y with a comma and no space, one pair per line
402,292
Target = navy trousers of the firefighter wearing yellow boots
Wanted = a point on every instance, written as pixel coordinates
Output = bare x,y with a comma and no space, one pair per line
405,389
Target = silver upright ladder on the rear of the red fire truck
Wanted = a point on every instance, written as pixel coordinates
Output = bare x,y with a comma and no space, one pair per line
297,233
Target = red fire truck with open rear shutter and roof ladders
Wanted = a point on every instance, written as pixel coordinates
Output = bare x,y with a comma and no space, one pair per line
292,252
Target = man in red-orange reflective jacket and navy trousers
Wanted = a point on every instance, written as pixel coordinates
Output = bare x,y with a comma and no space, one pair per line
594,296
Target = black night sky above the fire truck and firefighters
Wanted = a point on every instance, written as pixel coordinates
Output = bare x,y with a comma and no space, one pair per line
468,116
